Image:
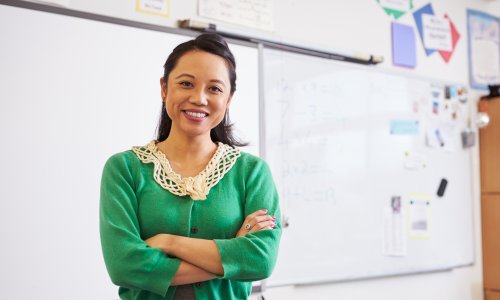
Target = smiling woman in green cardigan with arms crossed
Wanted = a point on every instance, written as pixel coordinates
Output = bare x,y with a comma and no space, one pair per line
189,216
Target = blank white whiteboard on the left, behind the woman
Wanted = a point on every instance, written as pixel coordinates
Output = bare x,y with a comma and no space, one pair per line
74,92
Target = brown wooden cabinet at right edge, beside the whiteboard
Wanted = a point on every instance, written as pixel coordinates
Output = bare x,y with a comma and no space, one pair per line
489,138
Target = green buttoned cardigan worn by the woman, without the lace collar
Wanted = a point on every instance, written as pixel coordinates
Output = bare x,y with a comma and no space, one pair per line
134,207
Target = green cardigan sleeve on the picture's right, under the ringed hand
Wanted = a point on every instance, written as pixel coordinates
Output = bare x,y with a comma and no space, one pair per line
253,256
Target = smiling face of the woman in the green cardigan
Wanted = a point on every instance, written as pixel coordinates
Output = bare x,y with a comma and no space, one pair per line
197,93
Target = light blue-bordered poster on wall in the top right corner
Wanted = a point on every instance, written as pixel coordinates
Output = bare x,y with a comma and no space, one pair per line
484,49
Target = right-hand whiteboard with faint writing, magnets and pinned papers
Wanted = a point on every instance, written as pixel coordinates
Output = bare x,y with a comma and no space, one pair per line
337,167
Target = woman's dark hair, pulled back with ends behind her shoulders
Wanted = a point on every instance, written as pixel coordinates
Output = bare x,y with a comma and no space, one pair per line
214,44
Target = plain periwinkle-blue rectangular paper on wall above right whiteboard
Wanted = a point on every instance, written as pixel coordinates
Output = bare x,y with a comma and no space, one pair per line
404,51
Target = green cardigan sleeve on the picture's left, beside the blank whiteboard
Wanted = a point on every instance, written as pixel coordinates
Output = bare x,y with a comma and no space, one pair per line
130,262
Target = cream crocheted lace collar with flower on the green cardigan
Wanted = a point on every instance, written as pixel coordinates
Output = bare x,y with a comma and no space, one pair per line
196,187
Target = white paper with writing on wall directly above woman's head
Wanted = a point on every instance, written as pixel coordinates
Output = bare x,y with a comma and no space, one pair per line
257,14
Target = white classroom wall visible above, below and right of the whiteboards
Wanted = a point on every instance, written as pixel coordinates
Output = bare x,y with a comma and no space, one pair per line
358,26
